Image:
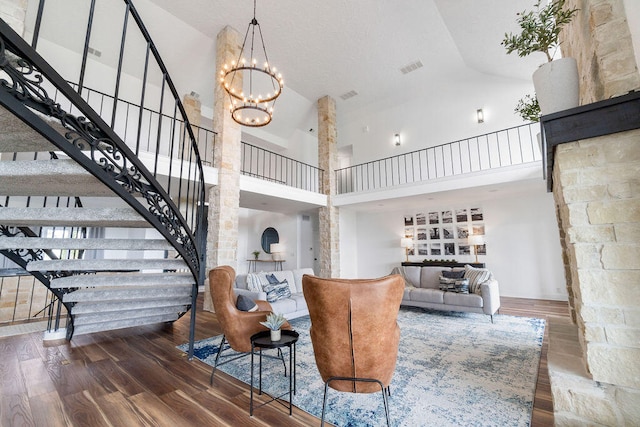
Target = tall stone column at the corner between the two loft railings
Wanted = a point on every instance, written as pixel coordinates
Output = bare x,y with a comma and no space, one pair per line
328,162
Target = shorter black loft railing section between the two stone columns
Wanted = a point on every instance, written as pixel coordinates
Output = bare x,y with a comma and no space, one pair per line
270,166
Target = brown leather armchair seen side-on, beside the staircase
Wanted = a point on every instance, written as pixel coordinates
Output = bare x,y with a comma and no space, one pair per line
237,326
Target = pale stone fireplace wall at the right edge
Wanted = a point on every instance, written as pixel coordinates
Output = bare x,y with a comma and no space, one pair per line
594,365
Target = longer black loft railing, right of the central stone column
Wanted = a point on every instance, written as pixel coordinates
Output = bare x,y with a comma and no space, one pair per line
508,147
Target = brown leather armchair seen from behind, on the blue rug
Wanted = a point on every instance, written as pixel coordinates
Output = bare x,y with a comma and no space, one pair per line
354,332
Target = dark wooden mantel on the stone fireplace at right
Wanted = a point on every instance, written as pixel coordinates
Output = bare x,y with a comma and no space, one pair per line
606,117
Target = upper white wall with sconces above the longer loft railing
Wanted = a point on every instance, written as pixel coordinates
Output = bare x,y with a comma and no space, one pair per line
425,120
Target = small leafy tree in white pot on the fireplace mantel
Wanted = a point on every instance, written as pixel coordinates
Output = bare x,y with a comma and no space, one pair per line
556,82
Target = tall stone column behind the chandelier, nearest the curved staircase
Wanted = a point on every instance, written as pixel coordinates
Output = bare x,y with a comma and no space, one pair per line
224,198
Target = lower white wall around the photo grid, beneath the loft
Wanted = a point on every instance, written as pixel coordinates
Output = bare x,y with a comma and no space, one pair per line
523,246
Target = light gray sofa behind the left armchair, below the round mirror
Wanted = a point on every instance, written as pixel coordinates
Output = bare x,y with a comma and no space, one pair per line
292,306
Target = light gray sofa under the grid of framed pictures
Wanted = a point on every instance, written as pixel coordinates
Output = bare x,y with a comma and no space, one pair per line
422,289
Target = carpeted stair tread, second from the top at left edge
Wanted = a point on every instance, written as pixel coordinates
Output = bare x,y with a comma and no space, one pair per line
62,177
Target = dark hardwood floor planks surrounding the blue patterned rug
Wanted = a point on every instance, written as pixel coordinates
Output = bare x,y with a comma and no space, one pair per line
137,377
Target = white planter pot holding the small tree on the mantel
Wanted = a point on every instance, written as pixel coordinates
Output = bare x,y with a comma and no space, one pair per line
556,85
